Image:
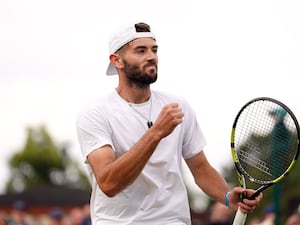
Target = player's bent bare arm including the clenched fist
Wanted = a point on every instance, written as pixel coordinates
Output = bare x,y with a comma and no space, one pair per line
114,174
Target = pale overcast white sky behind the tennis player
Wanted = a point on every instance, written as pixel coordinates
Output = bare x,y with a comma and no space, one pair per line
216,54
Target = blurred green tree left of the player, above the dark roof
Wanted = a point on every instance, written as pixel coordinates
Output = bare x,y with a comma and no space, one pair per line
43,162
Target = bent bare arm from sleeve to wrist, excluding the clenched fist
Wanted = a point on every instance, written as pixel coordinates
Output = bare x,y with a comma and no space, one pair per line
112,174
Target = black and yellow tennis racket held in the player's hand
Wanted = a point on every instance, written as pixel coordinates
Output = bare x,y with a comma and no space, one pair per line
264,144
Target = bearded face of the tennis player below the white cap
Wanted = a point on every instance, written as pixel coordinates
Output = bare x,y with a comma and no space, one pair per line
140,61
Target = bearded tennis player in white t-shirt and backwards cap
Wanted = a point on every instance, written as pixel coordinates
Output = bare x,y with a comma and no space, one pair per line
133,141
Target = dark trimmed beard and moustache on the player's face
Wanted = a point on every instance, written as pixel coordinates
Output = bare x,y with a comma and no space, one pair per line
138,76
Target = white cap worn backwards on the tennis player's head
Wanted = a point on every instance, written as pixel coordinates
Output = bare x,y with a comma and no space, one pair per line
120,38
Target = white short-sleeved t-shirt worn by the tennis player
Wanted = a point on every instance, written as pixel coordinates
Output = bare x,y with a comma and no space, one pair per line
158,196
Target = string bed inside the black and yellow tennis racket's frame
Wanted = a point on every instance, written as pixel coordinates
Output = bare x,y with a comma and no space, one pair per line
265,140
